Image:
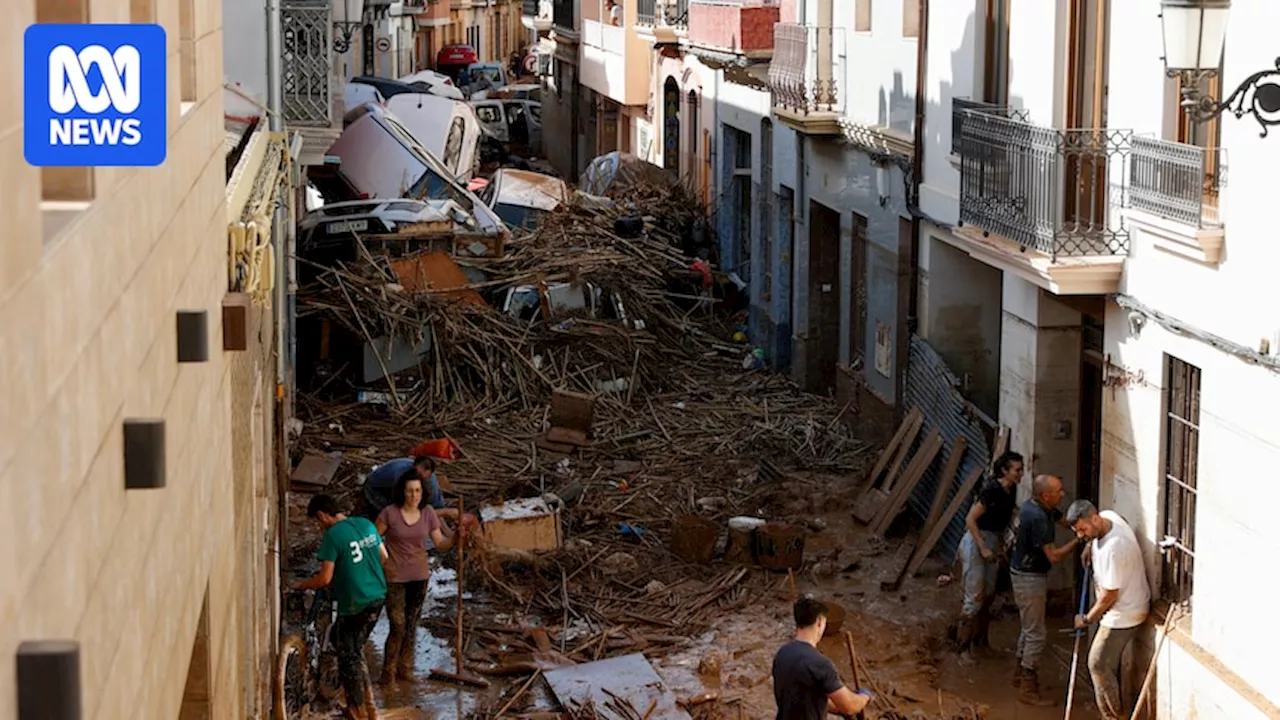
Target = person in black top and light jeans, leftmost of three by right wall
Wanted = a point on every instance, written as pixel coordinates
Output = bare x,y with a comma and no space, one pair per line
986,523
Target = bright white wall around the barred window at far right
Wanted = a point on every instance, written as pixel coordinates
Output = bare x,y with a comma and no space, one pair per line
1240,449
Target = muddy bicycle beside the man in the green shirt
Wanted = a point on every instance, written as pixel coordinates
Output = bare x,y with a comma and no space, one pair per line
307,668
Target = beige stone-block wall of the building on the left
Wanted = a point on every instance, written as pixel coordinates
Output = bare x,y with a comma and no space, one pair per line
88,339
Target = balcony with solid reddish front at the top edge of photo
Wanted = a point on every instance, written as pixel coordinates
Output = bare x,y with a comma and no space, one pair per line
734,28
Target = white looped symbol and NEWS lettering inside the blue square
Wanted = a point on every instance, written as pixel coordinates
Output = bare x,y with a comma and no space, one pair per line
121,90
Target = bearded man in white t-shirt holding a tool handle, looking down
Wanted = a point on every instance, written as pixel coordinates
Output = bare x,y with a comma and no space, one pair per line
1123,598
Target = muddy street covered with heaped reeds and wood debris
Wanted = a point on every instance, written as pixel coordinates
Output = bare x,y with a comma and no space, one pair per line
685,434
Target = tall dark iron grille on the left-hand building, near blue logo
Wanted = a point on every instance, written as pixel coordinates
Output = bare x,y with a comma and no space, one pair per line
307,62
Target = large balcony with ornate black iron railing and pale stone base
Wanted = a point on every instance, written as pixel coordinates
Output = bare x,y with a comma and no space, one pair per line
1040,202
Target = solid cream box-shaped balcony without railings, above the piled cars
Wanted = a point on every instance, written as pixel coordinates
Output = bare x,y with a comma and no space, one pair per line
615,63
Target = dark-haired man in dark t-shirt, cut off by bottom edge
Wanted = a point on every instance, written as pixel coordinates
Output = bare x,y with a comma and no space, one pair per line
806,685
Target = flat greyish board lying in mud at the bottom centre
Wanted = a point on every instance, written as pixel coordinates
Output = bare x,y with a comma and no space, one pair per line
629,677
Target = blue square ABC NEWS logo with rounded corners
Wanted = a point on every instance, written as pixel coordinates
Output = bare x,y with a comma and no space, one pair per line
95,95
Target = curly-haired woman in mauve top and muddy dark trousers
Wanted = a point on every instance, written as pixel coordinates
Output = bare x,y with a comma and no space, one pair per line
405,526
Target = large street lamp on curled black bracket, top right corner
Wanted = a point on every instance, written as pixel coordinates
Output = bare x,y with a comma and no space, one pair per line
1195,33
